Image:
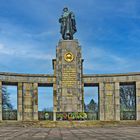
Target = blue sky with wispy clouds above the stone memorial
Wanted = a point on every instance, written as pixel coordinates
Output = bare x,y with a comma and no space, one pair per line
108,32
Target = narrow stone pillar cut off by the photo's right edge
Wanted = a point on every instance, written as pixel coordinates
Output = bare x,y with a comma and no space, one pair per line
138,100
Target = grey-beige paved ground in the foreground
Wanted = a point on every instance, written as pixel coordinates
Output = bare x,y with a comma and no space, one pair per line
106,133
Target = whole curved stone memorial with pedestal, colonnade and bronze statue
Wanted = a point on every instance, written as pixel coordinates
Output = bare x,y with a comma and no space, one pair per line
118,93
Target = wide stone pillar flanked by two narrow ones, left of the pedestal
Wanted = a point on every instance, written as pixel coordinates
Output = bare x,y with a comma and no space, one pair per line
28,101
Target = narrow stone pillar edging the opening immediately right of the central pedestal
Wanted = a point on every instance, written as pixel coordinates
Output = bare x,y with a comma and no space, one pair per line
101,102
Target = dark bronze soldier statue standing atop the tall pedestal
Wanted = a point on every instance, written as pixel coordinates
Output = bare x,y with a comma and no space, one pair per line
68,24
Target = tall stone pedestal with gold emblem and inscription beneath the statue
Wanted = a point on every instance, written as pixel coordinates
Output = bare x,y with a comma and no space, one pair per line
69,89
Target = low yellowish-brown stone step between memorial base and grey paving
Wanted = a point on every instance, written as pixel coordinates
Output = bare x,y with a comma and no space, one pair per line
68,124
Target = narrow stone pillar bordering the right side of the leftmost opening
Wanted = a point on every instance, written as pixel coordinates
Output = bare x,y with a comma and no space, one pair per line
20,102
